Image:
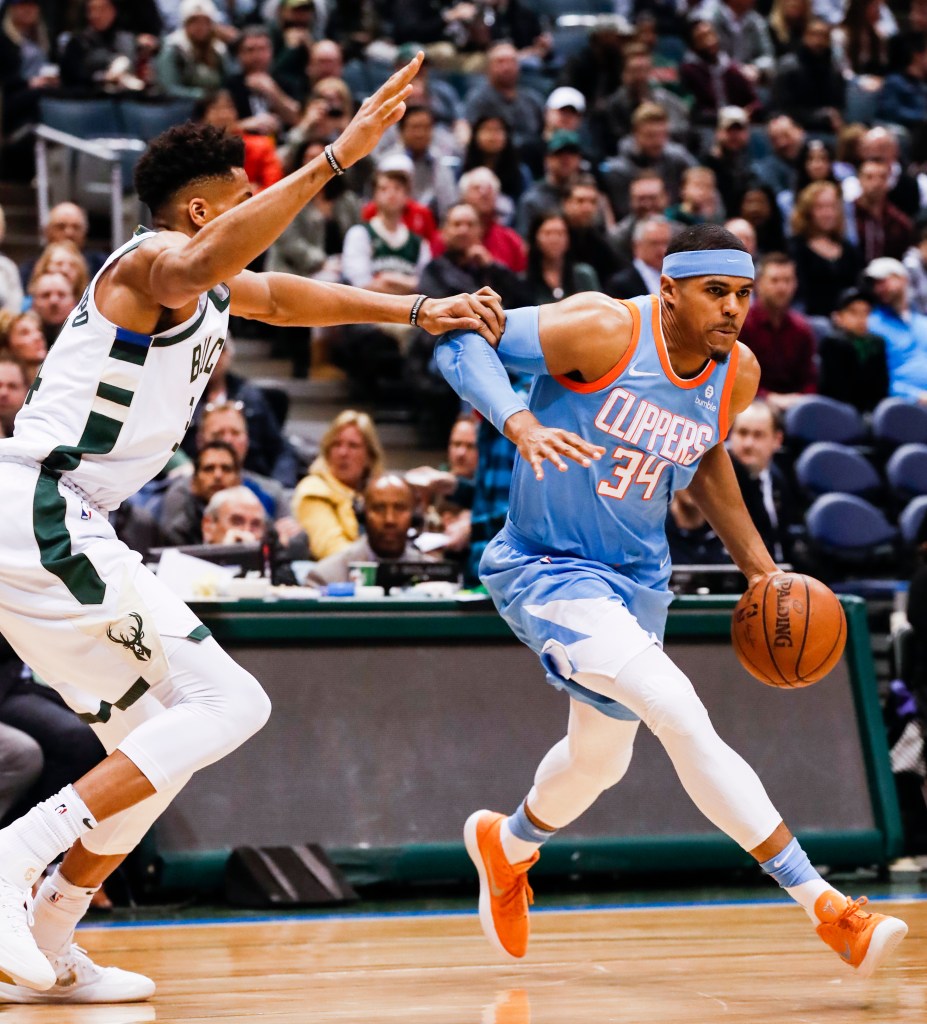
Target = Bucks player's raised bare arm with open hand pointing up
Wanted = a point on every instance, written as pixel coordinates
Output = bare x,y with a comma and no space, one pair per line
227,245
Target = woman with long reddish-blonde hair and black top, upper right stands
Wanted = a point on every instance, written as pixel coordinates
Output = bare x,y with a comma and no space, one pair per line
826,263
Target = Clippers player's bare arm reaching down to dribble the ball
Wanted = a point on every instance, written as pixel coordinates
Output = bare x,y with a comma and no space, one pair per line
718,493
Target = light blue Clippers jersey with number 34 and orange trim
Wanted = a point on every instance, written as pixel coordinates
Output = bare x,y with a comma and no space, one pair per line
655,426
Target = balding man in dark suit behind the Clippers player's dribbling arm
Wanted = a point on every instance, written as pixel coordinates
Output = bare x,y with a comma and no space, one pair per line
755,438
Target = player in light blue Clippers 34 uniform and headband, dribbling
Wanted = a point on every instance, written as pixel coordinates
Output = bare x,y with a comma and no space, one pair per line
641,395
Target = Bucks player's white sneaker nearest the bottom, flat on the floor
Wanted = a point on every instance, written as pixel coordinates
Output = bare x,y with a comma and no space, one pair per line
78,979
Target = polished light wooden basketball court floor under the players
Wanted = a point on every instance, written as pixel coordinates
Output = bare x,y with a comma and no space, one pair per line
746,963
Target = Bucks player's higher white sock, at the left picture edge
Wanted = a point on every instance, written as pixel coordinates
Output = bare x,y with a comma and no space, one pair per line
31,843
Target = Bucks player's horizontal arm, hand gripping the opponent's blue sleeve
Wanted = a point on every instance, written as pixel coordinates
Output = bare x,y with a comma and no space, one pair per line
285,301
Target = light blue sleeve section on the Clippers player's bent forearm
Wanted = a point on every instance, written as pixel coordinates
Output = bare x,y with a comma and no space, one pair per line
473,368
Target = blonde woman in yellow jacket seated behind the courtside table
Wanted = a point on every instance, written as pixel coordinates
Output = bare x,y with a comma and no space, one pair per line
325,501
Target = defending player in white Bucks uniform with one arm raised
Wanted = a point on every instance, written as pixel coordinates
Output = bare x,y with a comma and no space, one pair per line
113,400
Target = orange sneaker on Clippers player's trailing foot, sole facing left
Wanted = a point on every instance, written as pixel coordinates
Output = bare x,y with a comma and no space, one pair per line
504,892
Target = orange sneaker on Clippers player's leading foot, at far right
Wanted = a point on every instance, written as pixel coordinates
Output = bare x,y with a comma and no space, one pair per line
863,941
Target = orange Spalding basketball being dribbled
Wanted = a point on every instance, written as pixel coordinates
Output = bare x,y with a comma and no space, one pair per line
789,630
